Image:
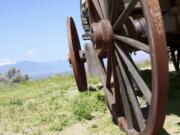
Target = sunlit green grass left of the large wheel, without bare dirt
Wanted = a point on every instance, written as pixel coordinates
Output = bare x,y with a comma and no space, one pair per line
49,106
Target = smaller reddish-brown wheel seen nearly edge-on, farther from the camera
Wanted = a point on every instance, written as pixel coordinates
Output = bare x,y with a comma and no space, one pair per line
74,56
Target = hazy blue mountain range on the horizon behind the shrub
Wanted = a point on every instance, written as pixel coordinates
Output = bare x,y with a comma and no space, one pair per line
39,70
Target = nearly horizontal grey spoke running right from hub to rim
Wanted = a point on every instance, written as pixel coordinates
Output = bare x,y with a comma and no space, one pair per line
133,43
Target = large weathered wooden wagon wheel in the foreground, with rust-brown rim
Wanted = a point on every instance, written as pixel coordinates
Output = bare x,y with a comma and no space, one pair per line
112,23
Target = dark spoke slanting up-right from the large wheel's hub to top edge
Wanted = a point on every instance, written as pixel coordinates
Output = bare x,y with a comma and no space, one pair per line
124,15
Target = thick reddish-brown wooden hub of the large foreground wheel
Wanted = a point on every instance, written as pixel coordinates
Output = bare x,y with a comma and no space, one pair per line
103,34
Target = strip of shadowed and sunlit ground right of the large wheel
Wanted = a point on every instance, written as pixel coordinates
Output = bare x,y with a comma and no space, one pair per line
172,125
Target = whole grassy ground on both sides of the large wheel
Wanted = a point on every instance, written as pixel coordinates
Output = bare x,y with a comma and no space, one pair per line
54,106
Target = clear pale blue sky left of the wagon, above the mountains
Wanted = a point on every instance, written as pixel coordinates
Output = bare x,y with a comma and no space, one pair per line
35,30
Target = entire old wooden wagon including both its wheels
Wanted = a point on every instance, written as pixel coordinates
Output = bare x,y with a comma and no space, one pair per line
113,31
